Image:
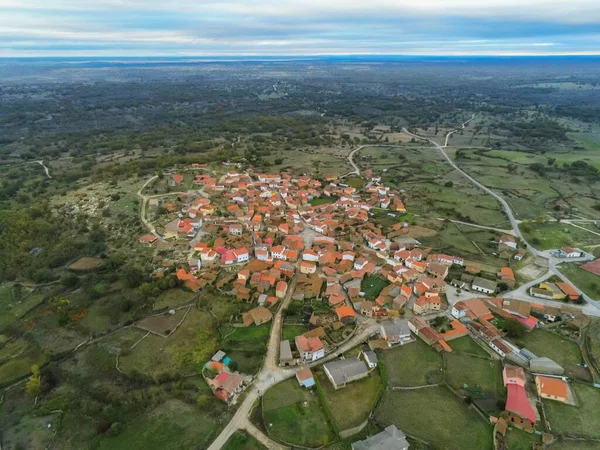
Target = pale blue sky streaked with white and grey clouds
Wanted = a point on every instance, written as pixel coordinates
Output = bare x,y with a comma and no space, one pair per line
298,27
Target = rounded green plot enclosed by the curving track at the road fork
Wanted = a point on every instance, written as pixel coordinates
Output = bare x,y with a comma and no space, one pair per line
295,415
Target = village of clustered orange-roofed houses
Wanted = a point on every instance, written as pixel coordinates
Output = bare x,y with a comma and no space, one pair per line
308,247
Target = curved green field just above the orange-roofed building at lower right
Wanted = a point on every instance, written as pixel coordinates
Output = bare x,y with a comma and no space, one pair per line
563,351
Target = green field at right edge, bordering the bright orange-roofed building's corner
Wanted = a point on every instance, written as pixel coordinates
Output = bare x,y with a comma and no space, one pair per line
581,420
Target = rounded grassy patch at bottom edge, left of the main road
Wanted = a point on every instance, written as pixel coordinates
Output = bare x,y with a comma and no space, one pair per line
173,425
